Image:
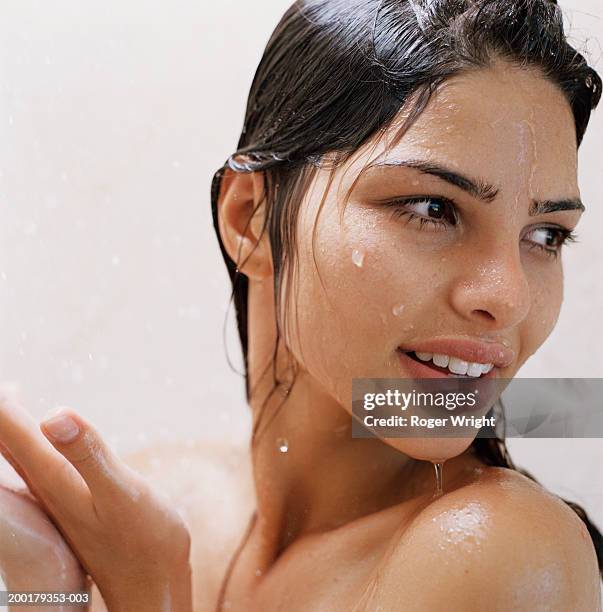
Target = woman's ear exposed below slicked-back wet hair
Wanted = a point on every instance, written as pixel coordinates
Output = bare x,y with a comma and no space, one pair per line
241,213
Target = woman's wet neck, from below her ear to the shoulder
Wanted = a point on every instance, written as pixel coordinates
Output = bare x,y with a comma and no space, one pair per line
310,474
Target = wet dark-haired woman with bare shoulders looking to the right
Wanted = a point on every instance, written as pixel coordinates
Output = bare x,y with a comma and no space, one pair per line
404,183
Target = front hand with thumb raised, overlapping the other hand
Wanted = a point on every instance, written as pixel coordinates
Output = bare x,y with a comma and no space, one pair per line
133,544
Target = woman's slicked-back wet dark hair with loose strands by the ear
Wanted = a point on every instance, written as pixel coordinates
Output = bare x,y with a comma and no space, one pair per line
335,74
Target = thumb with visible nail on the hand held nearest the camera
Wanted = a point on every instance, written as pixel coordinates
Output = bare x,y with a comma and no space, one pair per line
107,477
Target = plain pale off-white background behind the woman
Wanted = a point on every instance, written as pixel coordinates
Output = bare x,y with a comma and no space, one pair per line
113,118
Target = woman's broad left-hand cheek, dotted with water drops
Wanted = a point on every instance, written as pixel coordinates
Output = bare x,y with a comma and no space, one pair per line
352,301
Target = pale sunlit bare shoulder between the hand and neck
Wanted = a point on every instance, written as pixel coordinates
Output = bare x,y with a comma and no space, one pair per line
211,484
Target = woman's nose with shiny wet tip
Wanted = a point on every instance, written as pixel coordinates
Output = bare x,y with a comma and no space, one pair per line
493,289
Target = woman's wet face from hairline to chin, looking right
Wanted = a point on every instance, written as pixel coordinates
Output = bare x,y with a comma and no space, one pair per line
486,266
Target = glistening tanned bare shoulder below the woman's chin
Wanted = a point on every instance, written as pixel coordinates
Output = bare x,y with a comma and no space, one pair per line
498,542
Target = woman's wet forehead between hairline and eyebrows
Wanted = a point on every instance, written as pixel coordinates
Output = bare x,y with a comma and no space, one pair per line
507,125
